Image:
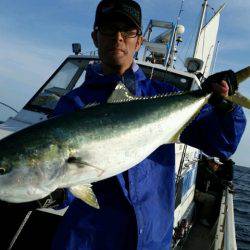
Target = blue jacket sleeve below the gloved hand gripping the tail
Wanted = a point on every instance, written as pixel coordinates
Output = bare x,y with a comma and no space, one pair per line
215,133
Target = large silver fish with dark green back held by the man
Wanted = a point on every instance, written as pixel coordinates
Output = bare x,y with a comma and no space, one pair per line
92,144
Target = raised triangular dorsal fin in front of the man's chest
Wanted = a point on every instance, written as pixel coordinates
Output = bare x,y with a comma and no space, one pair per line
121,94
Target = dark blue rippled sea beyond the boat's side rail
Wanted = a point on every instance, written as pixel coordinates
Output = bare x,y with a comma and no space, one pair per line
242,207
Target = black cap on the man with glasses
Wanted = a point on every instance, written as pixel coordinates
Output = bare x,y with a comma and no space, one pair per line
109,9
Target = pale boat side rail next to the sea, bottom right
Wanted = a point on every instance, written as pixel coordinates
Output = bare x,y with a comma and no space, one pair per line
225,237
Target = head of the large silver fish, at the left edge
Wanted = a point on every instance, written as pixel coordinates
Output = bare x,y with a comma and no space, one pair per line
22,181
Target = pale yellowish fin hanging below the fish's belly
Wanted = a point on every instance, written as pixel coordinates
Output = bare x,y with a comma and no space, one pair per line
86,194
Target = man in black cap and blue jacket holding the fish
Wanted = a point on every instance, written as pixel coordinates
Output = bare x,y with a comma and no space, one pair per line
137,207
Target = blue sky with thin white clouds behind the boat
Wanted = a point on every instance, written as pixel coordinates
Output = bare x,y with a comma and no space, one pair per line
36,36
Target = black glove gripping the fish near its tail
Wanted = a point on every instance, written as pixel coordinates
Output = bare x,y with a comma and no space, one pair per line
221,105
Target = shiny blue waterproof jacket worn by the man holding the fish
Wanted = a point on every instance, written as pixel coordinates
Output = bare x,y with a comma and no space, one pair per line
137,207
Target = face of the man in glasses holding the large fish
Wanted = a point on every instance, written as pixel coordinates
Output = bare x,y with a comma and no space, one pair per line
117,42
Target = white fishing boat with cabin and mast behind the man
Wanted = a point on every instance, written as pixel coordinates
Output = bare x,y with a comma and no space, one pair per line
157,58
